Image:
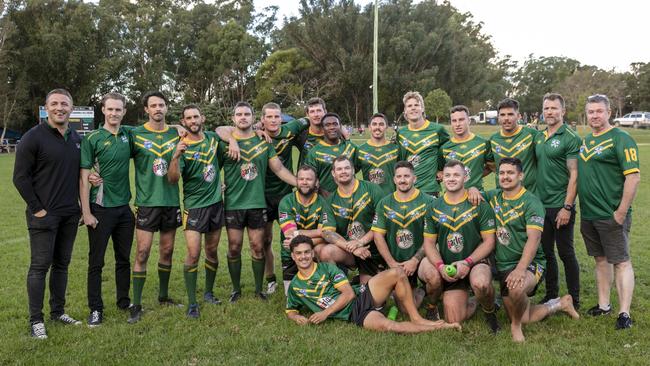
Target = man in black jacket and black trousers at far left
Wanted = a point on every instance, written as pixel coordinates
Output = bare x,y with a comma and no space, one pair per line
46,174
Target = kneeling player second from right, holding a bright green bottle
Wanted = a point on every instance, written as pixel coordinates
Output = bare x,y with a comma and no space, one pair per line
465,237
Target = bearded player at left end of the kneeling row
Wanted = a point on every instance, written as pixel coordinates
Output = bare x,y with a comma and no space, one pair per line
300,213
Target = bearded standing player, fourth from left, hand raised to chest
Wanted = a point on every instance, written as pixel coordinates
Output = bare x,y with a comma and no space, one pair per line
195,159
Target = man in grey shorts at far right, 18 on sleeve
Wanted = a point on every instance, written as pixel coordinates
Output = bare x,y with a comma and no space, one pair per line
608,177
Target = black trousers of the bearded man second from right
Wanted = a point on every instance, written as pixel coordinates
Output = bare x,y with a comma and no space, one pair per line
564,239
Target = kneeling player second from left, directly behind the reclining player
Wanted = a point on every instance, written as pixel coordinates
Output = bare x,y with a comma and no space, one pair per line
347,222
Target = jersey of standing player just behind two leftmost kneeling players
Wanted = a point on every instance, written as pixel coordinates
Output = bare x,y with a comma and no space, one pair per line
322,156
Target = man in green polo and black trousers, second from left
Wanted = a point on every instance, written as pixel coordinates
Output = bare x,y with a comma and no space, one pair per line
105,208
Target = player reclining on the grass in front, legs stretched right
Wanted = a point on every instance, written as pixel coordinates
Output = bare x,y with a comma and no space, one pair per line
333,297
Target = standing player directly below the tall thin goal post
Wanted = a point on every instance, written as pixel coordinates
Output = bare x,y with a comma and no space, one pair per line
376,158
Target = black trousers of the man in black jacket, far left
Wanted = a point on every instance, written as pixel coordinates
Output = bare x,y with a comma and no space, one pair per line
51,239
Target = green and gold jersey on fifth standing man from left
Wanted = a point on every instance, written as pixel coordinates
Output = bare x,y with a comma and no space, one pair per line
245,179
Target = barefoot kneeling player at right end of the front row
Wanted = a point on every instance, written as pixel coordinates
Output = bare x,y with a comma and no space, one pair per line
520,259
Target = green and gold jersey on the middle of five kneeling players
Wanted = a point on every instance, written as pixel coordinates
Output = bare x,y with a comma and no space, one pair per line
404,223
